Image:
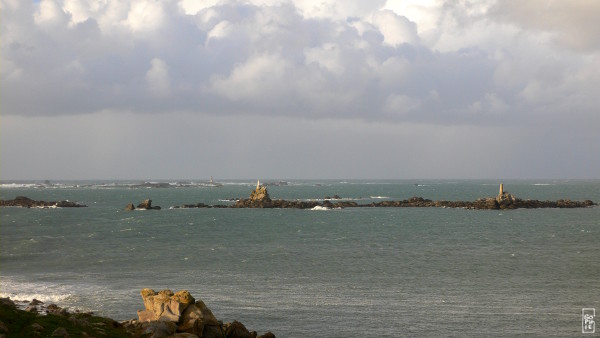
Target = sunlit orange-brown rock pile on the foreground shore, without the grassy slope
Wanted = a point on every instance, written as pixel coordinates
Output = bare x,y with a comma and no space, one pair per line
179,314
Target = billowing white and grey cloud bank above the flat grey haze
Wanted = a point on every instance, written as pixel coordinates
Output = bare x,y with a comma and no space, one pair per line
467,62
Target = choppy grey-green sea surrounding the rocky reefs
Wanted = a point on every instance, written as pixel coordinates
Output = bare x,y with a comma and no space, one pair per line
354,272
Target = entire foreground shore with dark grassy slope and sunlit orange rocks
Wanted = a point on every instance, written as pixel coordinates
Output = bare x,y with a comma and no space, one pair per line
166,314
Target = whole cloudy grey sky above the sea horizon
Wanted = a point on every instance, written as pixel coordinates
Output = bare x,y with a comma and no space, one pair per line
314,89
